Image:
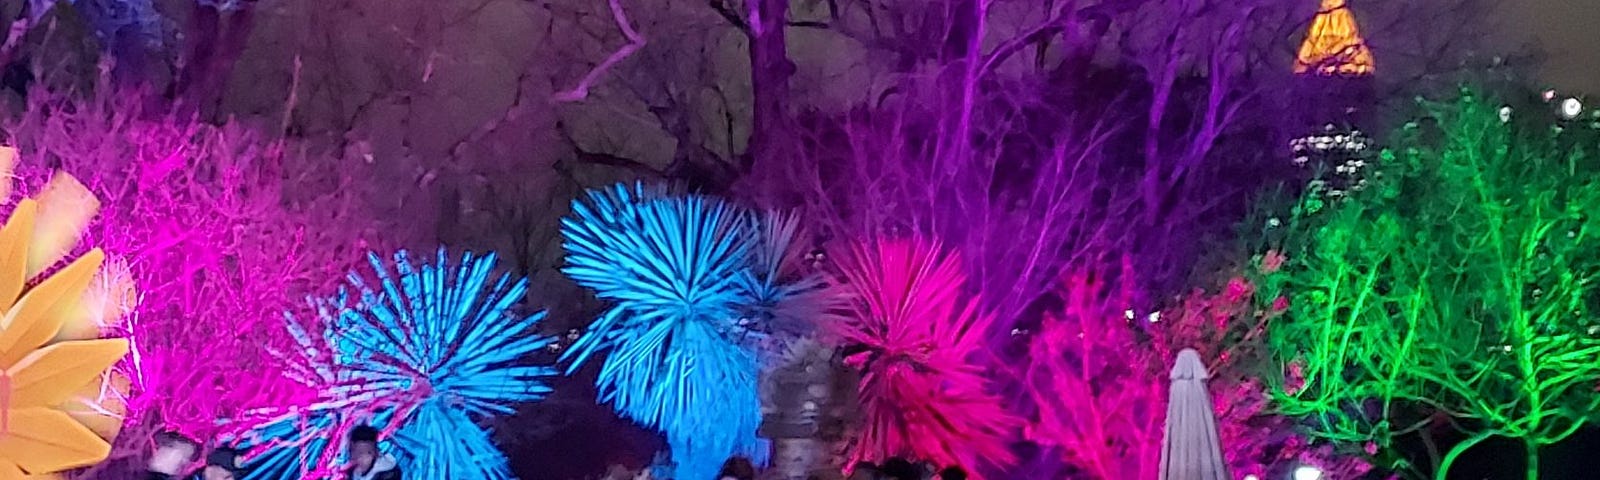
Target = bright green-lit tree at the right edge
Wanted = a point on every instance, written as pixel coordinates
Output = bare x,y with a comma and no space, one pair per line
1455,289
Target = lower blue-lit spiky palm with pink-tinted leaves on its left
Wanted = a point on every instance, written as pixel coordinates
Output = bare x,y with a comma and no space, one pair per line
426,353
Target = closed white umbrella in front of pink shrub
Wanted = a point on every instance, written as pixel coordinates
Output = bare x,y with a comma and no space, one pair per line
1191,449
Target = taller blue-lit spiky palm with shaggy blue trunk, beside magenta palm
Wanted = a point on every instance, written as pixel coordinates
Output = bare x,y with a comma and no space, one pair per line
697,289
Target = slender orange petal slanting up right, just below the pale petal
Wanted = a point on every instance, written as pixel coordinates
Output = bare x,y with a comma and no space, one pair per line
38,318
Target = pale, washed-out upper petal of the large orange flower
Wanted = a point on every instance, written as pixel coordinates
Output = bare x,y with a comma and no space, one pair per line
65,210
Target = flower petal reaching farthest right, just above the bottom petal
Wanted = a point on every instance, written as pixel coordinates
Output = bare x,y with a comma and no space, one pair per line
49,377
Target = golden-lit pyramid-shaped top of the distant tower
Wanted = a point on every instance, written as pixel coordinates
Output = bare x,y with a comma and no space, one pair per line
1335,46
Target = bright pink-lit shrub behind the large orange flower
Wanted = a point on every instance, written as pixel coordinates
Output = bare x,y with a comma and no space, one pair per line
220,239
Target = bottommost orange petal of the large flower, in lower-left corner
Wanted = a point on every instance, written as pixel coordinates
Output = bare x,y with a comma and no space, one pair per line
44,441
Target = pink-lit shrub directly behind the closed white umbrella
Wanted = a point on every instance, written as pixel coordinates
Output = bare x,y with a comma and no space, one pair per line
1098,382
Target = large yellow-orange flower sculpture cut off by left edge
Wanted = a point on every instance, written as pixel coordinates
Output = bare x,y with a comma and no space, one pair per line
49,377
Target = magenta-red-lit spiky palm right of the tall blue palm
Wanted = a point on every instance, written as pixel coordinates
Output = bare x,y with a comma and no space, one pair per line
913,330
